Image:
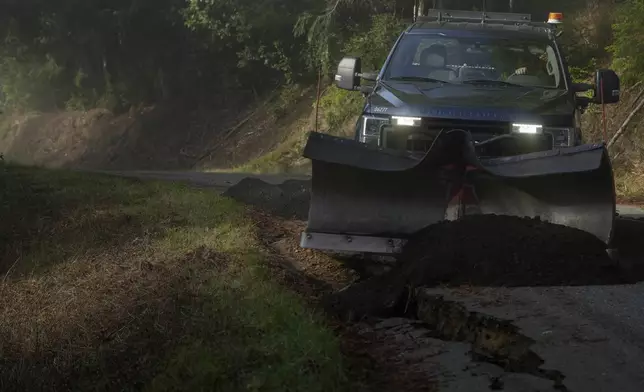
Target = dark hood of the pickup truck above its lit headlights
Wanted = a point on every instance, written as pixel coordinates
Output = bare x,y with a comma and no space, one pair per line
467,102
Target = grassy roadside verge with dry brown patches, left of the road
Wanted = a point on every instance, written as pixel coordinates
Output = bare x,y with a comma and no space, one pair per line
114,284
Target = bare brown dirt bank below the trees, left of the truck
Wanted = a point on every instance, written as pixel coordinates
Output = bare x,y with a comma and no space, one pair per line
170,136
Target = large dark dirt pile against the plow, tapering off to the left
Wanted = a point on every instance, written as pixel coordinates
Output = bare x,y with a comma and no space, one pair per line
482,250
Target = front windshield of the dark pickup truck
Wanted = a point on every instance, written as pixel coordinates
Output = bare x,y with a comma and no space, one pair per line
489,60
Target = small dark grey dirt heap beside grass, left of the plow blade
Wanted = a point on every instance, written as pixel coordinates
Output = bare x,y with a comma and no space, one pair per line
288,200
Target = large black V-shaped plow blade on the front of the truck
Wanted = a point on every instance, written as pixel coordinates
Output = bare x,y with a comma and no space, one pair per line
370,200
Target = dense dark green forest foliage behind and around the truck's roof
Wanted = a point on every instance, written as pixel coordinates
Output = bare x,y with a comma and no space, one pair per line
118,53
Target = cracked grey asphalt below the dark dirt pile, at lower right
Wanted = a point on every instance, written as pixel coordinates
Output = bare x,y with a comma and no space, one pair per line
542,339
